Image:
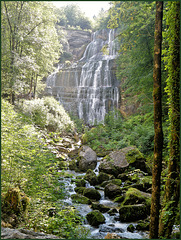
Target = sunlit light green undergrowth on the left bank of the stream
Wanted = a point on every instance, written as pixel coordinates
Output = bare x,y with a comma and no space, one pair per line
28,165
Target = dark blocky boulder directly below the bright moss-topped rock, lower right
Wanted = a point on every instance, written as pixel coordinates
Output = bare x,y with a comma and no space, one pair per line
131,213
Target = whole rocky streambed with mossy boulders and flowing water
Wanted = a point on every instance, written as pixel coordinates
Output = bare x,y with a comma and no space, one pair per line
112,193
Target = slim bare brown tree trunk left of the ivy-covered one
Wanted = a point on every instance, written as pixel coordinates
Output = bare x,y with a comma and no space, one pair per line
158,139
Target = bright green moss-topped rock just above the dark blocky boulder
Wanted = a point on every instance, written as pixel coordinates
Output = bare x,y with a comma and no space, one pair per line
135,196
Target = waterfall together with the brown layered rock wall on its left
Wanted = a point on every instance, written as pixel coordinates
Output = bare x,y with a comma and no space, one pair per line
89,87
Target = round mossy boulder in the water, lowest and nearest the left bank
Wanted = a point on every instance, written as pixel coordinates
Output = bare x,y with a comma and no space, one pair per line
95,218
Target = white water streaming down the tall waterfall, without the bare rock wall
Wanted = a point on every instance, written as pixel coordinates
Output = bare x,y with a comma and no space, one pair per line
97,91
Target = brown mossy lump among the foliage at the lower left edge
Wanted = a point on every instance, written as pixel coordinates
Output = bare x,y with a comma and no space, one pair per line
15,202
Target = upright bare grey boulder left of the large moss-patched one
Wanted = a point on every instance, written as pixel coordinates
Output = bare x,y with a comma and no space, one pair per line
88,158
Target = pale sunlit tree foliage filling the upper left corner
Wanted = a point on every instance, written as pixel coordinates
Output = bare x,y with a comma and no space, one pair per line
29,37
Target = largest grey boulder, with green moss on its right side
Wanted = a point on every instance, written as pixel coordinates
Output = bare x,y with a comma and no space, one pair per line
118,162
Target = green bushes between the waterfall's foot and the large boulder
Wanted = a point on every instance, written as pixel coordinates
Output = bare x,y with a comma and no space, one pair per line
118,133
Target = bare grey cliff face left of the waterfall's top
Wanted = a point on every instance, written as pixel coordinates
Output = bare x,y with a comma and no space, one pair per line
76,43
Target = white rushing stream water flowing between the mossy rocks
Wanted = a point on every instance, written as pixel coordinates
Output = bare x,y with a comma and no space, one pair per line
112,223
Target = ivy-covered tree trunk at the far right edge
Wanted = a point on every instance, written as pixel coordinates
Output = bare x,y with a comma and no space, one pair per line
172,58
